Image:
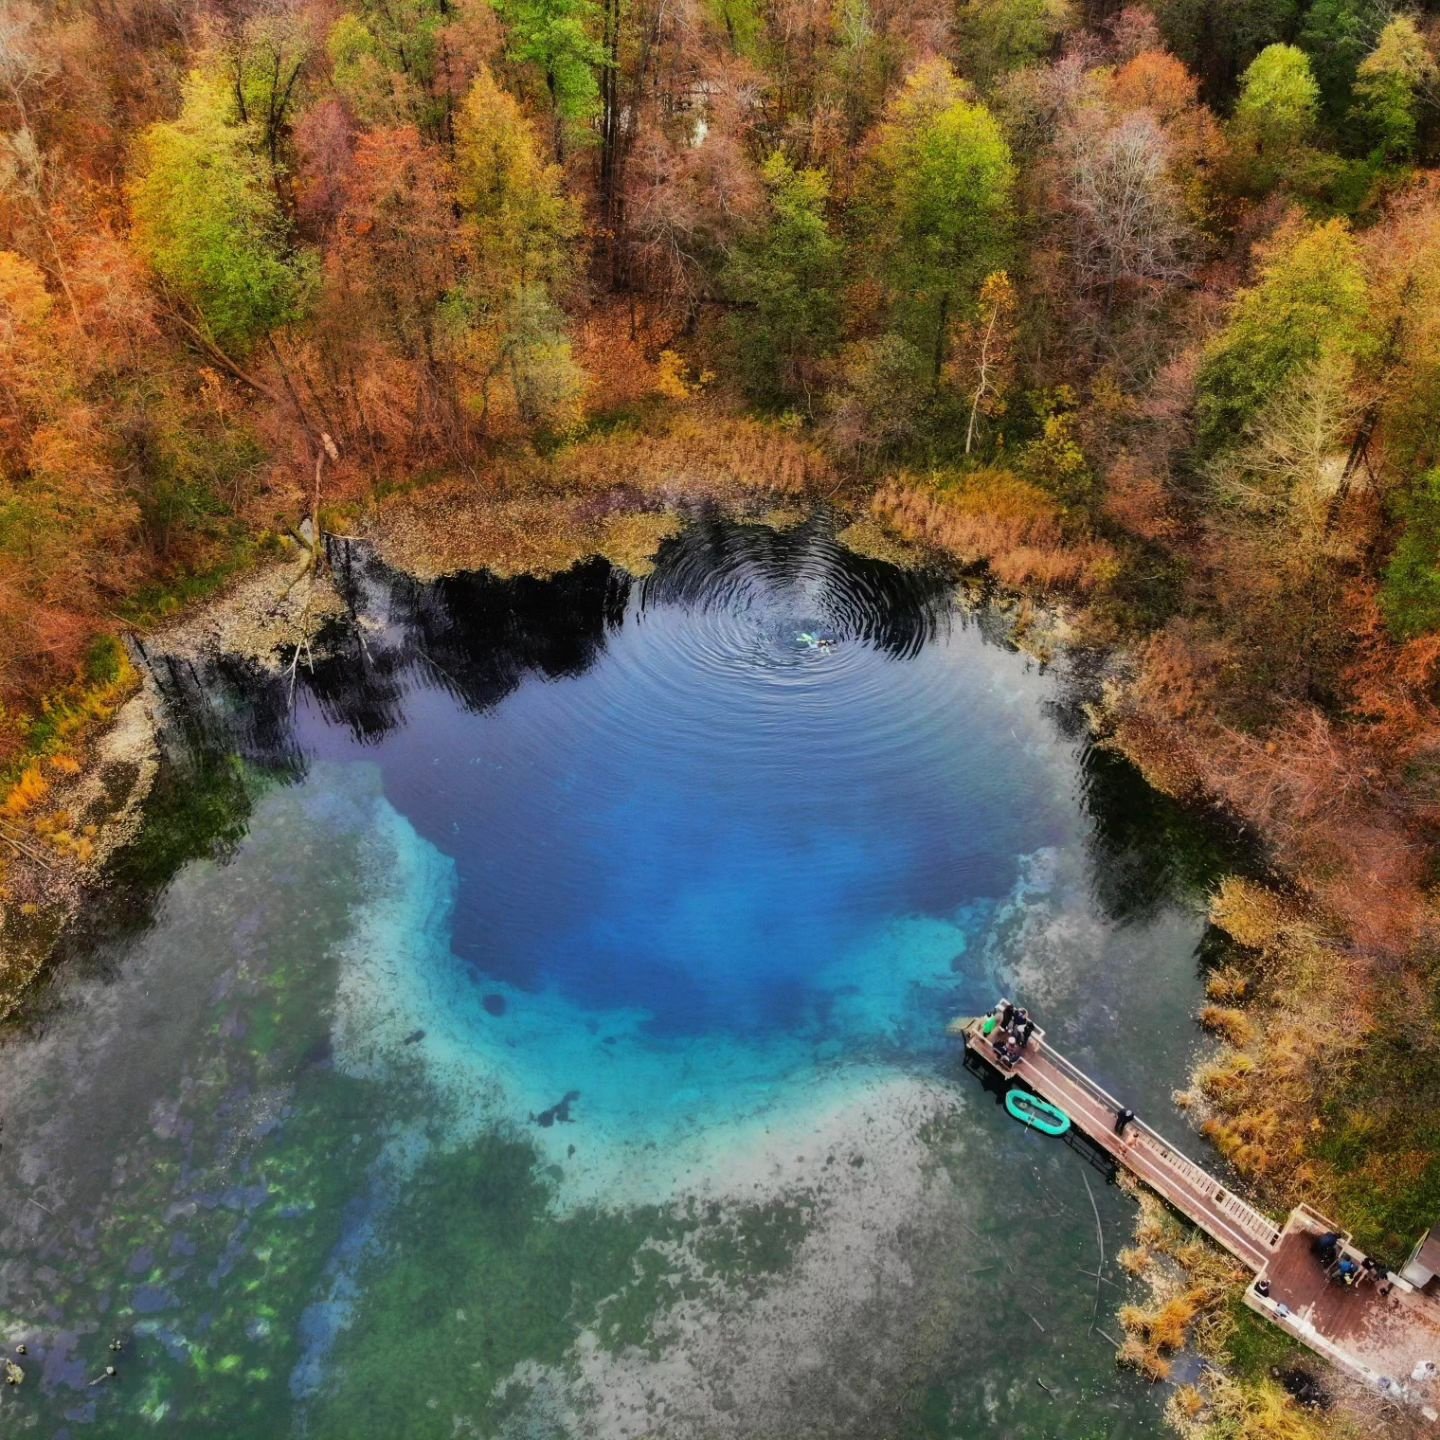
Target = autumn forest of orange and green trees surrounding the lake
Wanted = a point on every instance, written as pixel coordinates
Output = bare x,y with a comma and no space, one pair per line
1137,306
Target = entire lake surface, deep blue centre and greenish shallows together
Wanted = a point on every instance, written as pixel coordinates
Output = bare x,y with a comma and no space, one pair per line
539,1030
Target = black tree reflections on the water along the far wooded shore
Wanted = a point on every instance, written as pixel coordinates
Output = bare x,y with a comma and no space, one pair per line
477,639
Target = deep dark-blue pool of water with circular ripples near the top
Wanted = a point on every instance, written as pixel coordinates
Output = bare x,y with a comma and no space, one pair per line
714,813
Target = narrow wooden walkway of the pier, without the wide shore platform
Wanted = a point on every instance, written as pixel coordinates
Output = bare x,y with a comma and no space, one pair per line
1251,1236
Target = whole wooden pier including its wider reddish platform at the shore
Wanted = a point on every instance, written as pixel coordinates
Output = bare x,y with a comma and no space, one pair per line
1383,1341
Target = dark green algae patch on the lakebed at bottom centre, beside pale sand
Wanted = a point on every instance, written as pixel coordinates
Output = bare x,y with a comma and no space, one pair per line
479,1277
